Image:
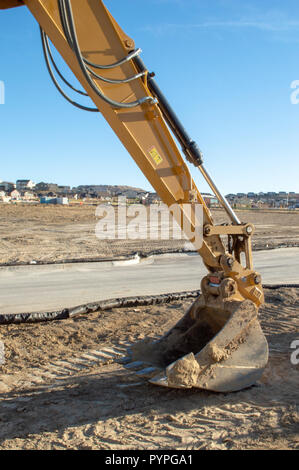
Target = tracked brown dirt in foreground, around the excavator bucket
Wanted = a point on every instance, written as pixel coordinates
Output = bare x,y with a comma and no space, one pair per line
63,387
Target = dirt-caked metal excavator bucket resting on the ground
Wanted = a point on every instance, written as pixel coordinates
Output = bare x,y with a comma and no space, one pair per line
218,345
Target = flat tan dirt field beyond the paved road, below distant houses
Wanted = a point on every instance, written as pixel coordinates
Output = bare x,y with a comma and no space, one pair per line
41,233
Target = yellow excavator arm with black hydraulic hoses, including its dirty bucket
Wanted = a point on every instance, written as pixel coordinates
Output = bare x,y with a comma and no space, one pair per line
107,64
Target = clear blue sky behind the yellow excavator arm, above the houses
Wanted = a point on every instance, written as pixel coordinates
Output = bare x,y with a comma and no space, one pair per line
226,66
